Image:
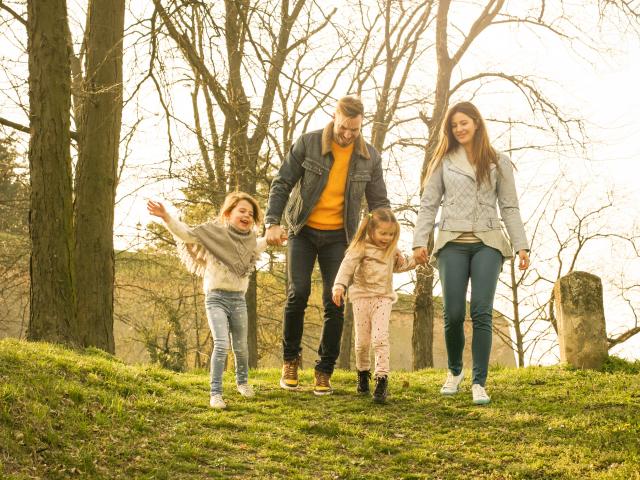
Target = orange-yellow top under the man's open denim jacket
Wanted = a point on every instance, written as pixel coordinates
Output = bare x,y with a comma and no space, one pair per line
328,212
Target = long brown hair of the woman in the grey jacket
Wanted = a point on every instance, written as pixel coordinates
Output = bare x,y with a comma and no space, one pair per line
483,153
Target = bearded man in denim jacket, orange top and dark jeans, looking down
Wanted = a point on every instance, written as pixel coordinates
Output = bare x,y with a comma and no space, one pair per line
319,191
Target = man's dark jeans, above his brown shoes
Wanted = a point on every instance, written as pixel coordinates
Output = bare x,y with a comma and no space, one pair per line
328,246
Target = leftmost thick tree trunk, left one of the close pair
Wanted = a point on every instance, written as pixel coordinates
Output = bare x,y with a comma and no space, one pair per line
51,267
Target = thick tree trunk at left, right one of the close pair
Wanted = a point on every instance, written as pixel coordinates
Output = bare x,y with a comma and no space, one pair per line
96,174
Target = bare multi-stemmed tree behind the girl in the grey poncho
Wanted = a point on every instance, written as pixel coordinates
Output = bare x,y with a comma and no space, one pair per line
253,37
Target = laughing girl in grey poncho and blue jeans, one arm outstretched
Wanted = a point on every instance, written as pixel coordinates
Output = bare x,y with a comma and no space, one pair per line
224,253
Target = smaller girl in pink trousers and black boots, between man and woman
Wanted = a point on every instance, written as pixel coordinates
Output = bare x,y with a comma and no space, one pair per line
368,266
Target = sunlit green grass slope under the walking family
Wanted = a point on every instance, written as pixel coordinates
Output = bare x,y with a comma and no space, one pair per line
88,415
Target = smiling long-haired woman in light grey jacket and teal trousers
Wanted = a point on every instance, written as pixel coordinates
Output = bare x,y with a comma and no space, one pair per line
469,177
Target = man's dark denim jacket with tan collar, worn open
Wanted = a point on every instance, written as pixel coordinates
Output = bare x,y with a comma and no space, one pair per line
296,188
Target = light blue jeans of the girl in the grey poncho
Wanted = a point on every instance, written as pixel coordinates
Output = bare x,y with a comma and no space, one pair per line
227,315
